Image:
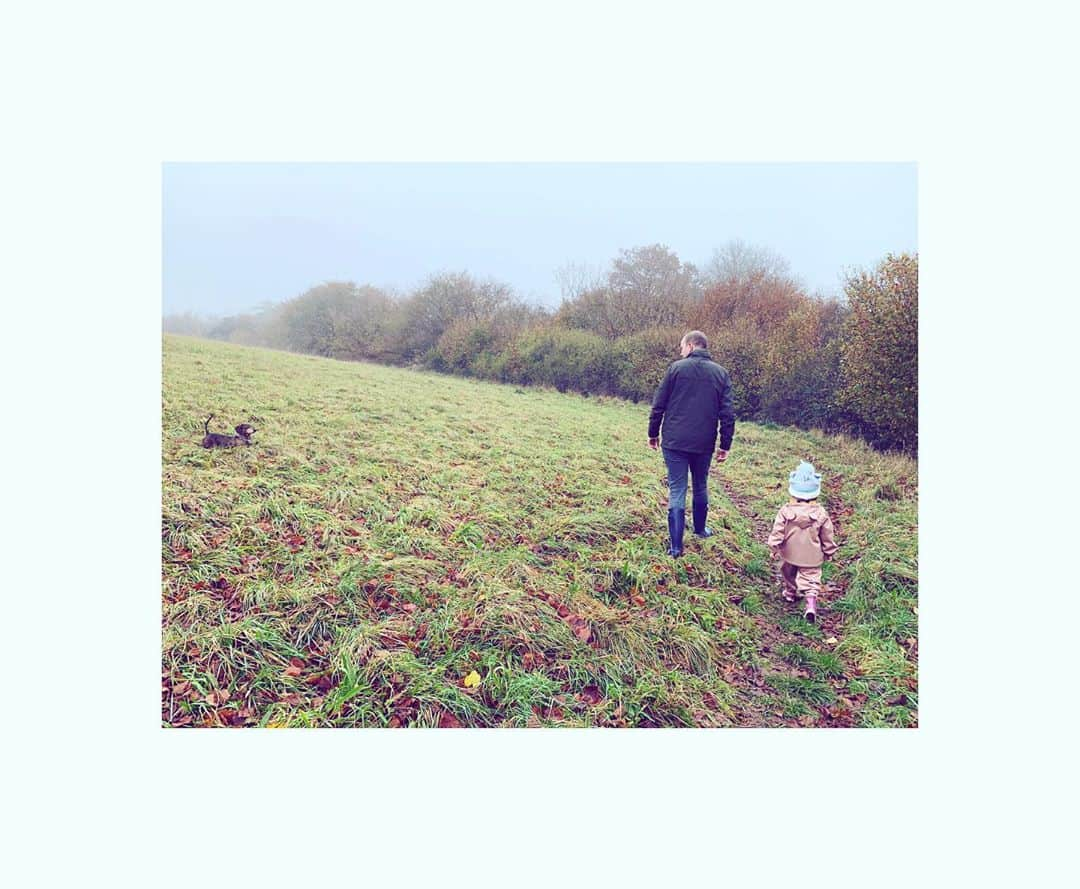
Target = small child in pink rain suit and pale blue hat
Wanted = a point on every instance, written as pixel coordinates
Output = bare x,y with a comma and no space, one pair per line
803,537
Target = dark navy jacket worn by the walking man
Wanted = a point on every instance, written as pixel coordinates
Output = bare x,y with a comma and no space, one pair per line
694,398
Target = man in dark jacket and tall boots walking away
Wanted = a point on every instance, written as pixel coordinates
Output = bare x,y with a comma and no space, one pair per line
694,398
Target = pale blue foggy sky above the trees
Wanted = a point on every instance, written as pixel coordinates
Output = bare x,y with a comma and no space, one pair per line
237,235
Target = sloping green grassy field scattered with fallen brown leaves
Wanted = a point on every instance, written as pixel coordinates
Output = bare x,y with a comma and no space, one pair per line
394,537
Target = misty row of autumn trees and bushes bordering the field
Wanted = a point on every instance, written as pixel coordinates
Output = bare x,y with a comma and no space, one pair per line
846,363
